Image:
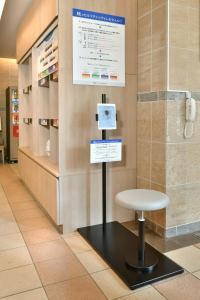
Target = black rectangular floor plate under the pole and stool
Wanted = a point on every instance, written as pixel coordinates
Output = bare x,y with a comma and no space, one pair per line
113,242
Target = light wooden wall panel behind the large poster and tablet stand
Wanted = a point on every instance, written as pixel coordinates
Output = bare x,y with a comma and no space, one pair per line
81,181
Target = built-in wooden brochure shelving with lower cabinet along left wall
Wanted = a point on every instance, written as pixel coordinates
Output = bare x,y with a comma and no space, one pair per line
39,133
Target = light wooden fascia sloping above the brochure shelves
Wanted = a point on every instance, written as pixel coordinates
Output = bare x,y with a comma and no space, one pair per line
37,19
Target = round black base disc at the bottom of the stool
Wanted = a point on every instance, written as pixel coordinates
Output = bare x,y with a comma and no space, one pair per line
150,262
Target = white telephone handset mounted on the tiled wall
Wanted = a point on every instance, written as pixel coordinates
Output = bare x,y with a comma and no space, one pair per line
190,116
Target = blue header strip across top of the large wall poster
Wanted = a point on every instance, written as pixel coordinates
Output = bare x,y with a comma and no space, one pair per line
98,16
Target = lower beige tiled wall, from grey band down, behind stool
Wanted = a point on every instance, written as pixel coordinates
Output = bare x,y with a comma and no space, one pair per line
167,162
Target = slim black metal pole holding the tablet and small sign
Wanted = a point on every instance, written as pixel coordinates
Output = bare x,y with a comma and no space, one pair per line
104,173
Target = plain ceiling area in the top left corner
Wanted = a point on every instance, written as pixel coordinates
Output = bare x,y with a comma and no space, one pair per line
13,13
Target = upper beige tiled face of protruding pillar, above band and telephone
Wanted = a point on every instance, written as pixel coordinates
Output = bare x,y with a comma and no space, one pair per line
184,62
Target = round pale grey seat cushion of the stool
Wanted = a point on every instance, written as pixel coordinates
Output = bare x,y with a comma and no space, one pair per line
142,199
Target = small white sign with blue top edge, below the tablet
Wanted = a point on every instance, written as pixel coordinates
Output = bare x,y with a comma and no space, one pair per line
105,151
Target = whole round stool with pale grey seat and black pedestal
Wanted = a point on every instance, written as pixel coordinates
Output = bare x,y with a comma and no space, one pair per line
142,200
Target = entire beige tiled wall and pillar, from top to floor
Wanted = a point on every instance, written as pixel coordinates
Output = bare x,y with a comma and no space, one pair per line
169,65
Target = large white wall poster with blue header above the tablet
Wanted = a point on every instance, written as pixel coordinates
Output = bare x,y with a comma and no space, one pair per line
98,48
